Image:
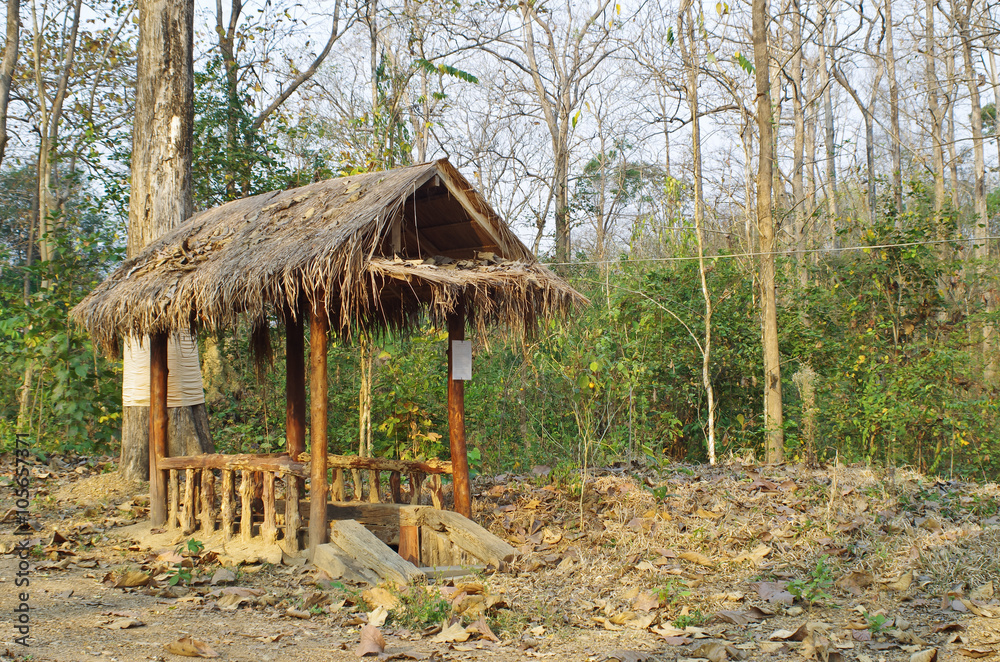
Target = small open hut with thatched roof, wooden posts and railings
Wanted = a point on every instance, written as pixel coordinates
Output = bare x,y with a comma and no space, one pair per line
365,252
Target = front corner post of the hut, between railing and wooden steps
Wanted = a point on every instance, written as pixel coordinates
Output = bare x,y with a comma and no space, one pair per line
318,327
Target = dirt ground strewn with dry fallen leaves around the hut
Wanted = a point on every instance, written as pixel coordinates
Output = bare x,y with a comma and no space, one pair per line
738,561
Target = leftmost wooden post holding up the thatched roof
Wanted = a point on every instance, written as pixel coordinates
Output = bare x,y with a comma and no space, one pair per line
157,428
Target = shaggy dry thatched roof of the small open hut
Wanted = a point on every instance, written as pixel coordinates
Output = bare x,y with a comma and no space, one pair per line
379,249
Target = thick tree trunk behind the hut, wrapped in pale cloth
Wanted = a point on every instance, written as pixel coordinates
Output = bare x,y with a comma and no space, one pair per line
161,200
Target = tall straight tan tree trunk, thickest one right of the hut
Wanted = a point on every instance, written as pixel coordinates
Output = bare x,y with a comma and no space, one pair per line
773,422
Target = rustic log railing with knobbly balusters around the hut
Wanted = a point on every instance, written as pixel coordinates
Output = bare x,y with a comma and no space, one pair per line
202,499
